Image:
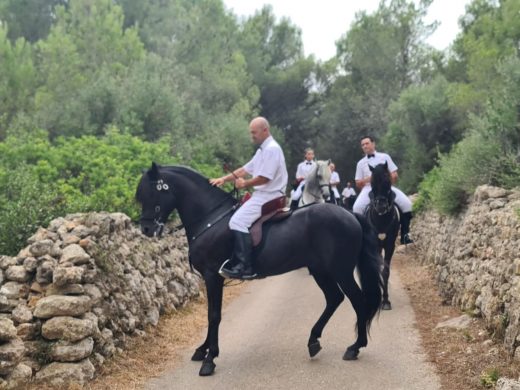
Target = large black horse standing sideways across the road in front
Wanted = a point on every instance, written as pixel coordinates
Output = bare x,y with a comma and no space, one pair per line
327,239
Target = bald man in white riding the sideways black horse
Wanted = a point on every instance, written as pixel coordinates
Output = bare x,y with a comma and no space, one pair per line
269,179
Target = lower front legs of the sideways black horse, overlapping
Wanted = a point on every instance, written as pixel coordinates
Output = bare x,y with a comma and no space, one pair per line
209,350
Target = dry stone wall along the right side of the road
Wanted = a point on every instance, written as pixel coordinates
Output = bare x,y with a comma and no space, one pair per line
477,259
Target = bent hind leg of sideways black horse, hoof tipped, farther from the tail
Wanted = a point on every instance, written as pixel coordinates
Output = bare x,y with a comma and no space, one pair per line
333,297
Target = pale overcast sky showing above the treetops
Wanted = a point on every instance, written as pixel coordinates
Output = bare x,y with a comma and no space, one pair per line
323,22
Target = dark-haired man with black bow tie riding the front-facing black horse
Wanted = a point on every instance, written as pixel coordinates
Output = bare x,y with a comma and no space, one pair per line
363,177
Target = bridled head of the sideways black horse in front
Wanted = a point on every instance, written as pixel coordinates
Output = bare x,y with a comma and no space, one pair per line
157,201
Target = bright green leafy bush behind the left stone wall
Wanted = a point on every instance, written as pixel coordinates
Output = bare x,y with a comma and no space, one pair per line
40,181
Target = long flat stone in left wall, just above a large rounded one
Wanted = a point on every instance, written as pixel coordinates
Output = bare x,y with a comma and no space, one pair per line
57,305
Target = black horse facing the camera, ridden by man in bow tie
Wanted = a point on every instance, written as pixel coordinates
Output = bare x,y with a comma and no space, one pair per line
383,216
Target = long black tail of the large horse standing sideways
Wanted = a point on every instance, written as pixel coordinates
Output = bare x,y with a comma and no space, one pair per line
370,270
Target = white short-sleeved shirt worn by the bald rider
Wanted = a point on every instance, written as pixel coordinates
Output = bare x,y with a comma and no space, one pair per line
269,162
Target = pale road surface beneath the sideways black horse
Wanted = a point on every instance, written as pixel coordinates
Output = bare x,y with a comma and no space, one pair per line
263,344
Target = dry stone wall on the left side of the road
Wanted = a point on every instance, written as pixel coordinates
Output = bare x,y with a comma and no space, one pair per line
80,288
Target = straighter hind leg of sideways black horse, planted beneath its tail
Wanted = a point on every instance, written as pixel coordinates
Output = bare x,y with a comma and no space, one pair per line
351,289
